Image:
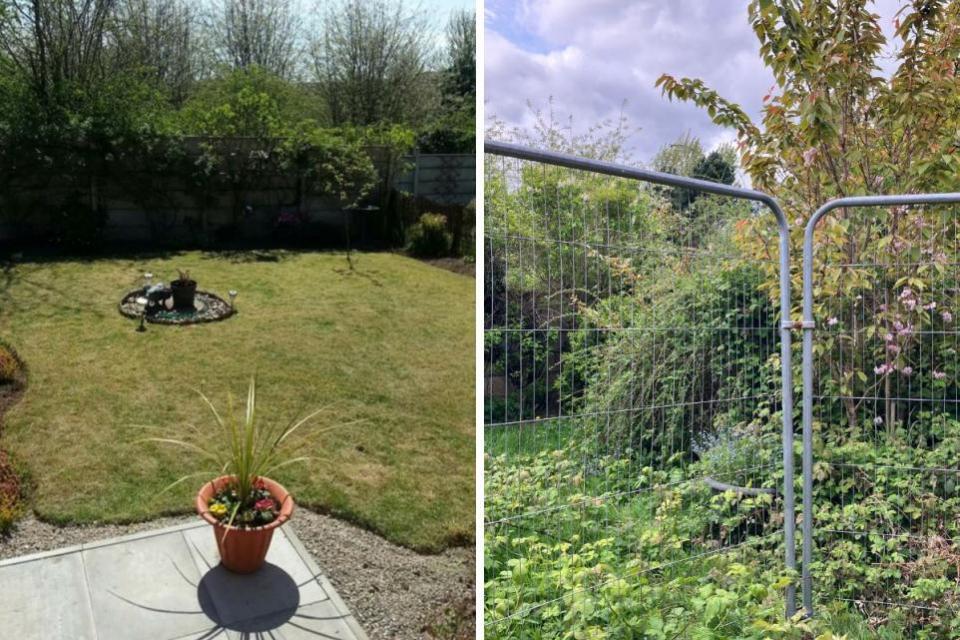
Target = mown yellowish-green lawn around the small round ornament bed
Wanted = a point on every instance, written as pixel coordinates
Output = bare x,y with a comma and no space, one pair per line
391,342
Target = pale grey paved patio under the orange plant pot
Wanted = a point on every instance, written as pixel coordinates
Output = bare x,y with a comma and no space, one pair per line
168,585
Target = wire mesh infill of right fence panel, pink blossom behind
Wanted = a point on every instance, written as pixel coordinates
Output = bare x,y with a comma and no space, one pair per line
886,491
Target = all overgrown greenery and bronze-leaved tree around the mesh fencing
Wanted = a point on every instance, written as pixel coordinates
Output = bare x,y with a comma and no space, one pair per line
602,361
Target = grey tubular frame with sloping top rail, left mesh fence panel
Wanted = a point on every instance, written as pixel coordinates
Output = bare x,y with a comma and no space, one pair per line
633,173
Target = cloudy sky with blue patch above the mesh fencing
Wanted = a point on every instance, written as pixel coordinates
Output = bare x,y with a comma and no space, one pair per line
590,56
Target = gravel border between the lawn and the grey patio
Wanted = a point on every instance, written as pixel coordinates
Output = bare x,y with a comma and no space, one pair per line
395,593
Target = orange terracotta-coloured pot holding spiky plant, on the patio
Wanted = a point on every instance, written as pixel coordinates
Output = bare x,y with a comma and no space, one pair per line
243,550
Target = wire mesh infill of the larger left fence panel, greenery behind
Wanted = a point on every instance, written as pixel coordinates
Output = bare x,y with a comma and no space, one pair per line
633,445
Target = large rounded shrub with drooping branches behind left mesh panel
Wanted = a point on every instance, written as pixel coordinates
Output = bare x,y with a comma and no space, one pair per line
707,336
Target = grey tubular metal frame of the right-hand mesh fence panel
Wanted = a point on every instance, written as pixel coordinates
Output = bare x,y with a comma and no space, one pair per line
807,363
